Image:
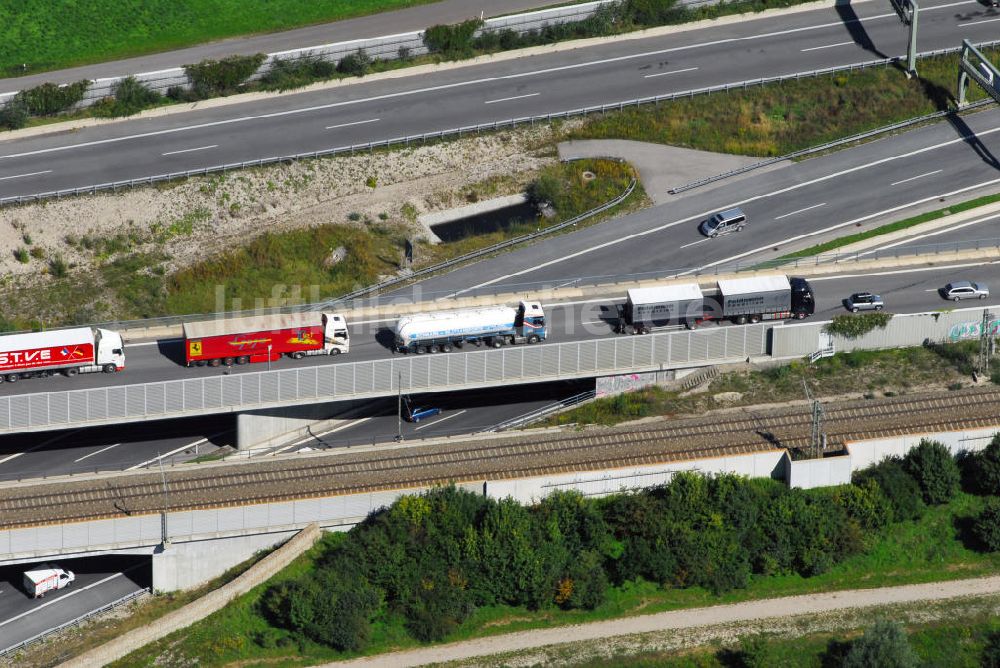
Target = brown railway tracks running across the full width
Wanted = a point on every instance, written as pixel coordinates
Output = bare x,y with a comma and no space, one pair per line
331,474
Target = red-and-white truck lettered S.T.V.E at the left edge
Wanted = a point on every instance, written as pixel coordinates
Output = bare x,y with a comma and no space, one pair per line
65,351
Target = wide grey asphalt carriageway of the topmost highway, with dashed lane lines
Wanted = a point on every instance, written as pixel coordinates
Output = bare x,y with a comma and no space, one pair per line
461,96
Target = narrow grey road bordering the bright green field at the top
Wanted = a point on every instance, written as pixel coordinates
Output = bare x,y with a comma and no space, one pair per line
375,25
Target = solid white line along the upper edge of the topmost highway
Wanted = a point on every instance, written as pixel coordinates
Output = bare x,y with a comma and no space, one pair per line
432,89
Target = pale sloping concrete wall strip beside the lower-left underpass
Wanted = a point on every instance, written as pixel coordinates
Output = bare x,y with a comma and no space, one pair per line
204,606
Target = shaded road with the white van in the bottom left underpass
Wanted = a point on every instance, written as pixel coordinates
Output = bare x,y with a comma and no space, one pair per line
99,581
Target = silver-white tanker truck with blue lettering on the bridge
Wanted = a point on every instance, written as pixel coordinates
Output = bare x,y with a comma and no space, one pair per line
495,326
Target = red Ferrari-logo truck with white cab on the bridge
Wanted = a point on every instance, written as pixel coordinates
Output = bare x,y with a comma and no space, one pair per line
260,338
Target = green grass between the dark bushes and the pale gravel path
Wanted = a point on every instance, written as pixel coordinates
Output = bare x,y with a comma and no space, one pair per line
925,550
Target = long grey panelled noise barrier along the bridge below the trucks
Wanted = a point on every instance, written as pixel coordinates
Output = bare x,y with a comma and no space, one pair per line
385,377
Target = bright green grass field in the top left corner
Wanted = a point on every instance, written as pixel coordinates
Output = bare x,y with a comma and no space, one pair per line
47,35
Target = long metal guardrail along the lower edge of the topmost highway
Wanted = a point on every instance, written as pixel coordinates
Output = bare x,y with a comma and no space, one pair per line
406,140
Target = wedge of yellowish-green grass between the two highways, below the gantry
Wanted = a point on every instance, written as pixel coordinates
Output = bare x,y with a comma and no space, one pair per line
777,119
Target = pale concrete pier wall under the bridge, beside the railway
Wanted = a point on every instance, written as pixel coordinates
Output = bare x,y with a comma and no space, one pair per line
274,426
